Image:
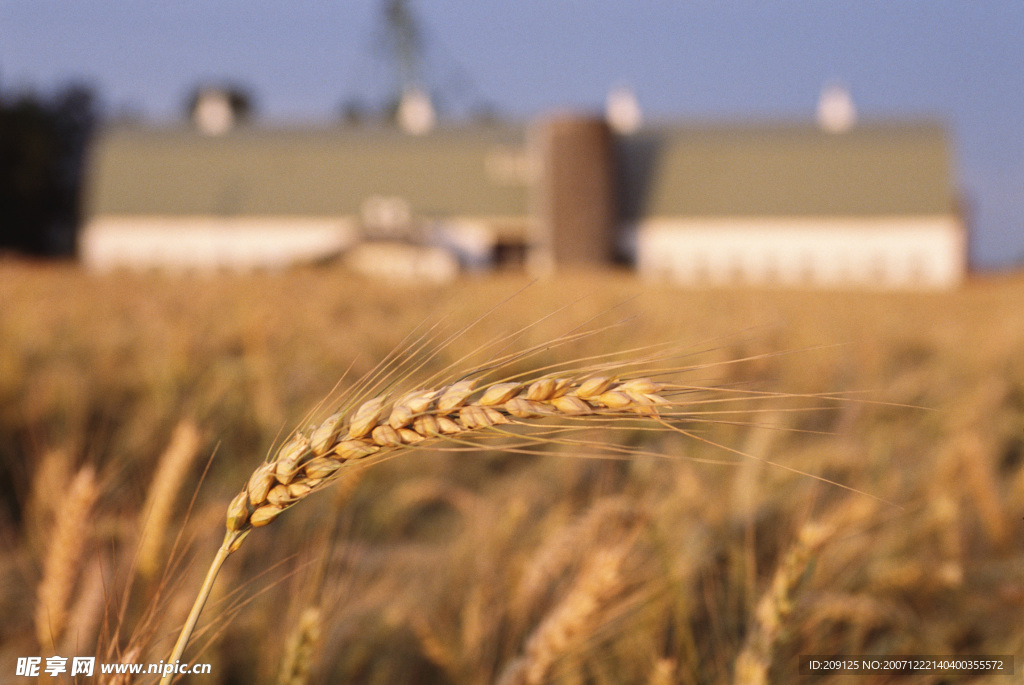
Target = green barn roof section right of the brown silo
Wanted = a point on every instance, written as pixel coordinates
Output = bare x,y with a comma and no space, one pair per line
787,170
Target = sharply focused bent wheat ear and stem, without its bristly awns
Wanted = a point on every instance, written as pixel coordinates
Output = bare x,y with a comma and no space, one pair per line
312,460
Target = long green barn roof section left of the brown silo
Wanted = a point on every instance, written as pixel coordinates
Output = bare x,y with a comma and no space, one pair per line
301,173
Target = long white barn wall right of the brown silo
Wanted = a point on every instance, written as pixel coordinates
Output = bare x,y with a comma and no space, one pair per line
926,252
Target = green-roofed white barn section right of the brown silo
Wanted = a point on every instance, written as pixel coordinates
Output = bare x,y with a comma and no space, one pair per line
795,205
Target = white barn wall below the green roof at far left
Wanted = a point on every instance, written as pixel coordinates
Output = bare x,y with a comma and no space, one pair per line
211,243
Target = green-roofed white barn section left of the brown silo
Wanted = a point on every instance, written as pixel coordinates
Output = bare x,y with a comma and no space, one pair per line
263,198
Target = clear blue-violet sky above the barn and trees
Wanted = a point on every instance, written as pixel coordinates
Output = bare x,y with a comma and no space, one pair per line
961,62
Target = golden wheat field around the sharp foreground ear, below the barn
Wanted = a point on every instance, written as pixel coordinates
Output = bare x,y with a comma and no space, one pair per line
848,480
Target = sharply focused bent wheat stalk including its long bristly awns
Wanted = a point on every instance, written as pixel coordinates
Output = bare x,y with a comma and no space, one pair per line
382,424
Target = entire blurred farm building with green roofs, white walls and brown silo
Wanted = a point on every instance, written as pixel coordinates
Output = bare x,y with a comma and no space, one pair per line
788,204
